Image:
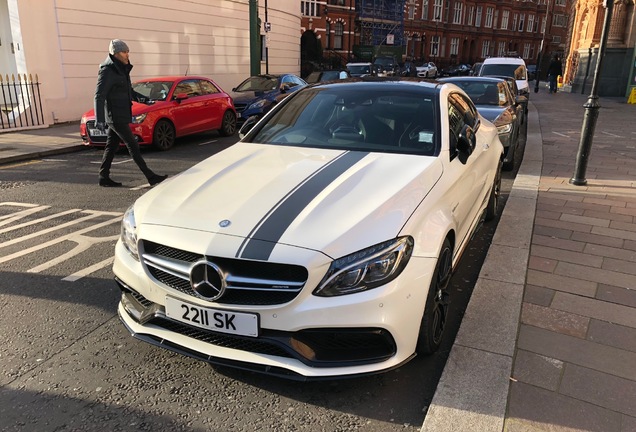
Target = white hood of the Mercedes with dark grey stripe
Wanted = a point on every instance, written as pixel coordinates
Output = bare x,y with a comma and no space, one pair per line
331,201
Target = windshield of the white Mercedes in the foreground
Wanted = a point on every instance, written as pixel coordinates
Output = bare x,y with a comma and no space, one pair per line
354,118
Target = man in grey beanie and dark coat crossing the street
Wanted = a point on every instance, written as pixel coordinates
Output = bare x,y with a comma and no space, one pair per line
113,106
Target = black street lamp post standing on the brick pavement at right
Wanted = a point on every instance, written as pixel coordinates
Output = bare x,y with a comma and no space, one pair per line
591,106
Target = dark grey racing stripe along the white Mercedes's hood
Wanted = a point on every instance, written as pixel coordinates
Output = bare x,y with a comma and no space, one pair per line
261,241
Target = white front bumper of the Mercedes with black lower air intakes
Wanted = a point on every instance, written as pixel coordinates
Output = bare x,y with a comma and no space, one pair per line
307,338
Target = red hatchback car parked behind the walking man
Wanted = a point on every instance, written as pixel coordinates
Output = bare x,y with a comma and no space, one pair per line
172,107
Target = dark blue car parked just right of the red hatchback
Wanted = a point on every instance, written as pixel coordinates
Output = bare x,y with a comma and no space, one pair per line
259,93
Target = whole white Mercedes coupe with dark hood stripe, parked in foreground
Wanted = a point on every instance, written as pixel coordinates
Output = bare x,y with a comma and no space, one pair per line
322,243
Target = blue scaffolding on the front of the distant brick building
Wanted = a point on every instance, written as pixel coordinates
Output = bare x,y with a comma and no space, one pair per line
381,22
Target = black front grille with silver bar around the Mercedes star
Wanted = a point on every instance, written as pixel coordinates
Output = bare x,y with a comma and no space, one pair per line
248,282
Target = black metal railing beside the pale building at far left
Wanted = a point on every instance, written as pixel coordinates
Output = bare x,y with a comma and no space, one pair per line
20,102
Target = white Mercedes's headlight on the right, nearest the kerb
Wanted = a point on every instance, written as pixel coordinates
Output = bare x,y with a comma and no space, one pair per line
366,269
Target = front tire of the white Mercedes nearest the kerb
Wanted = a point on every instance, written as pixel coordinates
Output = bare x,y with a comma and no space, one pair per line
436,311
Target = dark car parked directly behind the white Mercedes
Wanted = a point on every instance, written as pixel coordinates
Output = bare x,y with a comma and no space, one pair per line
495,101
